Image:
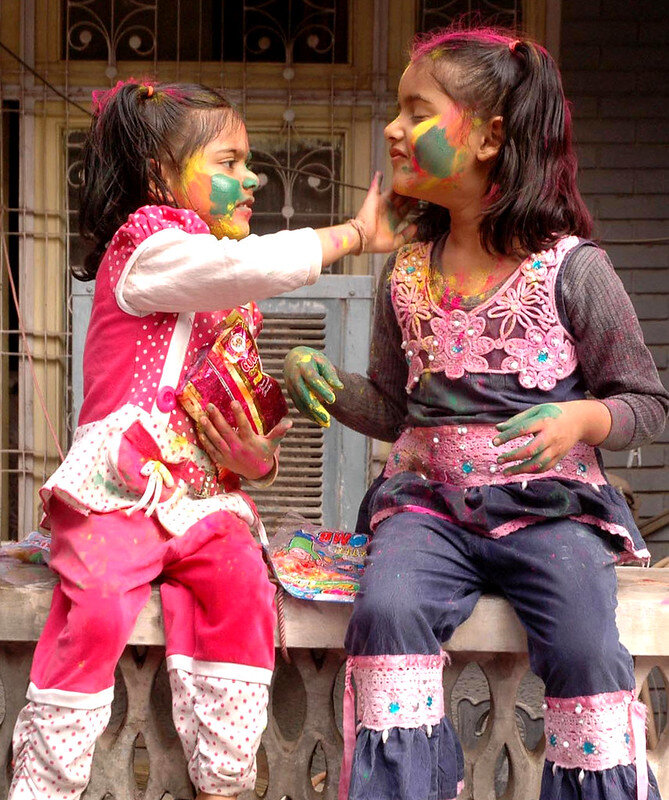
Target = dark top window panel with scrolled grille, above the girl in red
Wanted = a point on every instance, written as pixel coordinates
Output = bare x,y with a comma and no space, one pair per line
306,31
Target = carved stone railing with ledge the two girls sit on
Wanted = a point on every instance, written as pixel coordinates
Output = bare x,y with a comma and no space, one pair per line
139,755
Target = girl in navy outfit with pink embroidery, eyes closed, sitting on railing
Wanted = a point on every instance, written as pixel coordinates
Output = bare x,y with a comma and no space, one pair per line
505,350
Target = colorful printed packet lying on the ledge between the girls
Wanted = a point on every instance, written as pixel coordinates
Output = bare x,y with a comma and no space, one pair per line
314,563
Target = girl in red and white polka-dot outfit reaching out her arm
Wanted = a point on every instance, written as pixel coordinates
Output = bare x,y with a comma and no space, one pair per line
167,198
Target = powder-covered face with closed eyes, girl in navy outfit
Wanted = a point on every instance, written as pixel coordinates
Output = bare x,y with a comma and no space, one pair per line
431,147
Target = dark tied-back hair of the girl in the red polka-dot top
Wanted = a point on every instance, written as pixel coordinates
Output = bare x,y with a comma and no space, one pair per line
138,131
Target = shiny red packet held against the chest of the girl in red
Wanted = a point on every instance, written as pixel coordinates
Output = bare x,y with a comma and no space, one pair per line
231,370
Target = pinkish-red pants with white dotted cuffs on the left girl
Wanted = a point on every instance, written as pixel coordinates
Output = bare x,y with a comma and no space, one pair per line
219,630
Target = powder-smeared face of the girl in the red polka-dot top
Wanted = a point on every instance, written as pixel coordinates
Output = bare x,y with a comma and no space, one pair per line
218,185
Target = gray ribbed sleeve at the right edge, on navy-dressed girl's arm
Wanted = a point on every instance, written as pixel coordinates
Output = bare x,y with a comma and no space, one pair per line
617,366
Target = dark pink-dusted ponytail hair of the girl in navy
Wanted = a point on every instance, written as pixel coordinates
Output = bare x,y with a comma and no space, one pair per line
532,197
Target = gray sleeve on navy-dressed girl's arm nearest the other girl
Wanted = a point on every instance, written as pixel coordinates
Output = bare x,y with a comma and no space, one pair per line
376,405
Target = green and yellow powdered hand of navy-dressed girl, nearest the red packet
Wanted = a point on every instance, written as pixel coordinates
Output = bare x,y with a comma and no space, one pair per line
310,379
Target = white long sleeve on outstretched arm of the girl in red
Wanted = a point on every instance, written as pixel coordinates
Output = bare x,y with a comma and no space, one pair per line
175,271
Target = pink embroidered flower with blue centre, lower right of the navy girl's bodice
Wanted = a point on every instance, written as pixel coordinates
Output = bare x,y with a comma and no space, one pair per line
541,358
